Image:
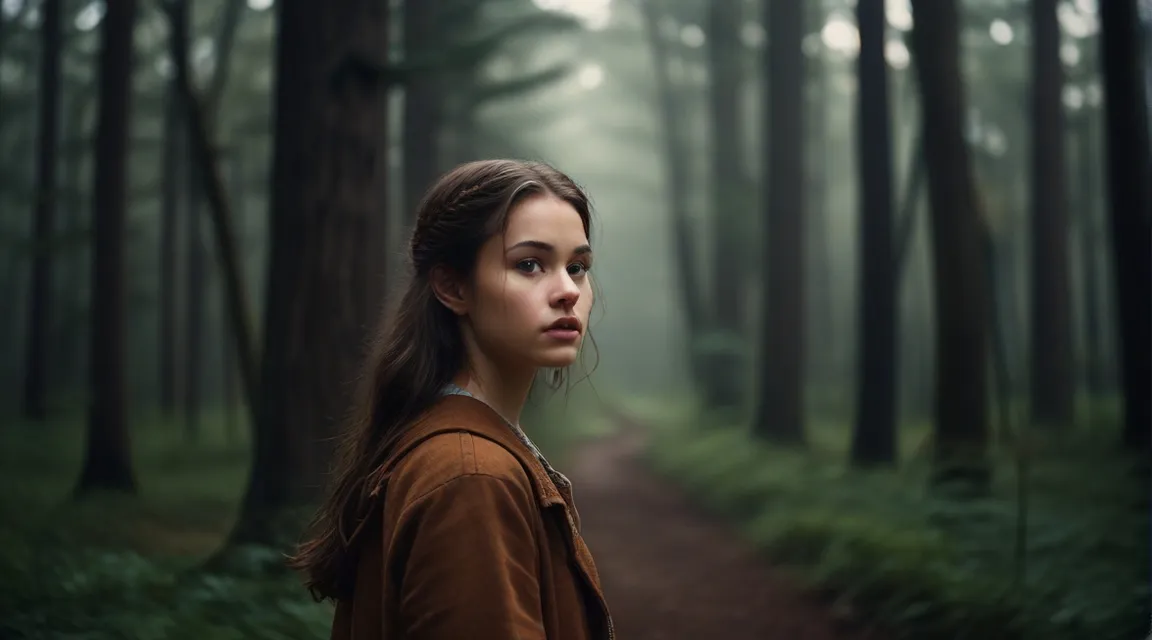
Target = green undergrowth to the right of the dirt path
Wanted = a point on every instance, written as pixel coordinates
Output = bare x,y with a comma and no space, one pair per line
885,551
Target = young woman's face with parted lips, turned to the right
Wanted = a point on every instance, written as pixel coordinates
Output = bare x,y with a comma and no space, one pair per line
530,298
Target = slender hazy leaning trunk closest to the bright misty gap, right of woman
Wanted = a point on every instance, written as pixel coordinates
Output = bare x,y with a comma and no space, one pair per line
677,180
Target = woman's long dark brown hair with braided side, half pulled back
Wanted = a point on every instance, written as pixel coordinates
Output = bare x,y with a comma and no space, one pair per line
419,348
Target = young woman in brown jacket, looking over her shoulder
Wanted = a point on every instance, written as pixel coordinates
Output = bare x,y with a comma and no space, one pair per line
445,522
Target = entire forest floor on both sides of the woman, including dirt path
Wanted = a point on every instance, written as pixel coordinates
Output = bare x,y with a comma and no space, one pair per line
699,534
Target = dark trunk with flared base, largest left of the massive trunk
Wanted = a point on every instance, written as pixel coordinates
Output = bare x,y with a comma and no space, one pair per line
108,459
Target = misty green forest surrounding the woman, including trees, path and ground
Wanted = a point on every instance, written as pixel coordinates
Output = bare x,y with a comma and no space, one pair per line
827,401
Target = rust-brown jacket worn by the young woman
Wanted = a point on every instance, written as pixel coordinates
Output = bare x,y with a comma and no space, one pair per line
478,542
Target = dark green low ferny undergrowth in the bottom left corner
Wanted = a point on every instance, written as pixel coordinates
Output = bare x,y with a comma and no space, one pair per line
113,595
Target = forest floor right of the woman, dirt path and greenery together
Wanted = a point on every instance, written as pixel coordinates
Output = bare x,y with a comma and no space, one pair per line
703,532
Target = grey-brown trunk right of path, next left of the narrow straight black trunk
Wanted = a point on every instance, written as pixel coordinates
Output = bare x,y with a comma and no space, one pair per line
780,412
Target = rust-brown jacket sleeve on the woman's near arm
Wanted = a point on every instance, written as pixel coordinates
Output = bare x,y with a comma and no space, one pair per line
471,569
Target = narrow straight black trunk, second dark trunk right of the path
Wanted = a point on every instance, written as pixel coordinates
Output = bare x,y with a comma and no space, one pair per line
875,435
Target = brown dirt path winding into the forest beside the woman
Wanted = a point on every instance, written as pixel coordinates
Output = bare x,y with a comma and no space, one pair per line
670,573
